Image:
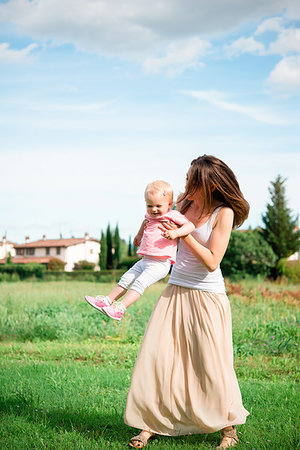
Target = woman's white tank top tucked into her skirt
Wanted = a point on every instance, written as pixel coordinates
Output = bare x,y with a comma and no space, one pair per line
189,272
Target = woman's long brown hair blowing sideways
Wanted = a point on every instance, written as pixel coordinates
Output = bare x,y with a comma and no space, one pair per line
218,184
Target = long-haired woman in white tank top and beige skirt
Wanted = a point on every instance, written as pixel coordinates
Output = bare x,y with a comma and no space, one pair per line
183,381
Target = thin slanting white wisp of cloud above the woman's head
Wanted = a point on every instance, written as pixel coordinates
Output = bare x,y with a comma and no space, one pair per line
217,99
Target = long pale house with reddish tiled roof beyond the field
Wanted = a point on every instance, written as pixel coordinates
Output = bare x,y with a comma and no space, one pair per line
70,251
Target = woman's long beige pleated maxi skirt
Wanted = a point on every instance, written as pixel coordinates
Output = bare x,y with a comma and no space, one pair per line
183,381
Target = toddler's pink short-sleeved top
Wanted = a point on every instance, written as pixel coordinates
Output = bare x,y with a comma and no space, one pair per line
156,245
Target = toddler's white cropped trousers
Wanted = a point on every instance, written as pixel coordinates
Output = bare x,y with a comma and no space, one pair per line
145,272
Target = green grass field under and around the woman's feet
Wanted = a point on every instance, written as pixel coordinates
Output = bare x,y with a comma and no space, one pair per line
65,369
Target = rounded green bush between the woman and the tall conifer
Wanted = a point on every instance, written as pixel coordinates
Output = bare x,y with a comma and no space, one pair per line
247,254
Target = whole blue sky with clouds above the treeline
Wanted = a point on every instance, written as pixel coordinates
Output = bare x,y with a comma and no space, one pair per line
100,97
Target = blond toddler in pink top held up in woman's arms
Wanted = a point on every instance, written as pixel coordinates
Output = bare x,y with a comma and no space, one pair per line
157,247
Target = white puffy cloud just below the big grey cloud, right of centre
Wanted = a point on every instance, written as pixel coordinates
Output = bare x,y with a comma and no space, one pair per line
179,56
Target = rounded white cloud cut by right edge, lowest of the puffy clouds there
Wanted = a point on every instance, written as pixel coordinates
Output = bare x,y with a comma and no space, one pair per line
286,73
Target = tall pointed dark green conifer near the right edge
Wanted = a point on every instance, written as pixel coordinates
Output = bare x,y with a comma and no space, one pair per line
280,229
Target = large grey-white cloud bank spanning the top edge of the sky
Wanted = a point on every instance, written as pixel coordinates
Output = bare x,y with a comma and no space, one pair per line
129,28
